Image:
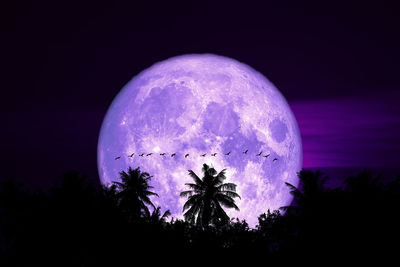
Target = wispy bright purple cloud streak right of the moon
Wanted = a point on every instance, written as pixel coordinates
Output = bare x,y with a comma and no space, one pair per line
354,131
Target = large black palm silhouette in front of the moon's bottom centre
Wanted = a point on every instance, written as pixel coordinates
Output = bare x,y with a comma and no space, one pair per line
206,197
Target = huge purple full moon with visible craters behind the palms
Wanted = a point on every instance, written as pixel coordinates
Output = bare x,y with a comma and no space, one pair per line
199,104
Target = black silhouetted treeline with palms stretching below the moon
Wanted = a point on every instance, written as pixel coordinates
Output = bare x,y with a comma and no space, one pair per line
76,223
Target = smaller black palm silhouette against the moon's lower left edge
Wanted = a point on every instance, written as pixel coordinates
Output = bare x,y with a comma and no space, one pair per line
134,192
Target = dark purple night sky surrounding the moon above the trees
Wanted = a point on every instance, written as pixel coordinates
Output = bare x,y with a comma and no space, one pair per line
62,63
